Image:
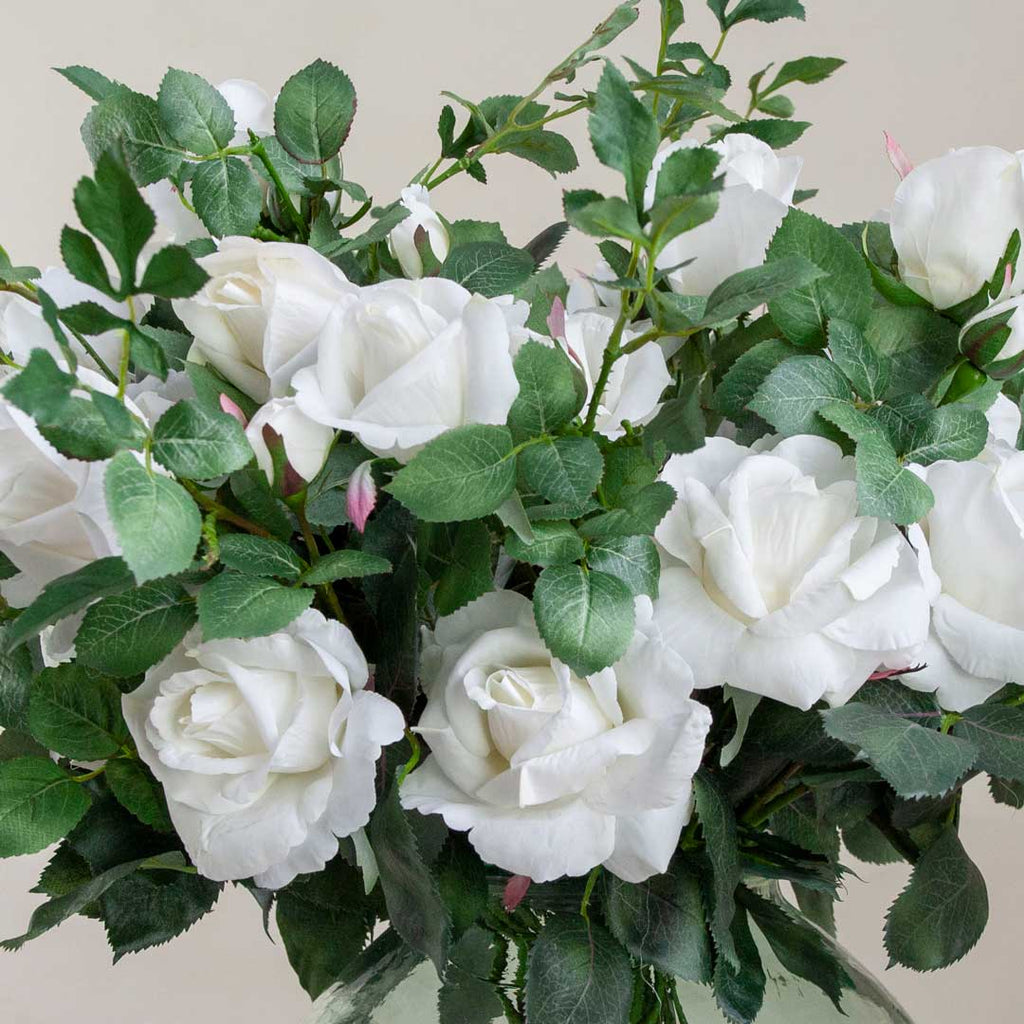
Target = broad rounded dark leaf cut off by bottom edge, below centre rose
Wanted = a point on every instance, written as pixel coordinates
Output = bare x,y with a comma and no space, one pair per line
578,974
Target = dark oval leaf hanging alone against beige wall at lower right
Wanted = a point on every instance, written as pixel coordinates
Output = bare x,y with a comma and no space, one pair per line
942,914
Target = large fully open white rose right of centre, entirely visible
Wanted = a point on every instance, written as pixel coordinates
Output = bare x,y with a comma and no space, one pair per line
782,589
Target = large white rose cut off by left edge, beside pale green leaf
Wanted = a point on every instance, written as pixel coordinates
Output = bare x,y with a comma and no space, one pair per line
53,511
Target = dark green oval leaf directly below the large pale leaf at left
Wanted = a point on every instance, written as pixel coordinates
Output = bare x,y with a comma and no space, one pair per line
125,634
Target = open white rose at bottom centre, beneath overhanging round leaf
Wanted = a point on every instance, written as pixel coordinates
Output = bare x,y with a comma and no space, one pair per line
551,774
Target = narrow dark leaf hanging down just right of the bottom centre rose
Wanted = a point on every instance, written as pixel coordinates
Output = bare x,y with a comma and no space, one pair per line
719,826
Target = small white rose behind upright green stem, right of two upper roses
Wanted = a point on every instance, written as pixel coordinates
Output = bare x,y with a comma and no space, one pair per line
637,381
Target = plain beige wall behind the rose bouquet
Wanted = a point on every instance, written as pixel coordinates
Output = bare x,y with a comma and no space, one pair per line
935,73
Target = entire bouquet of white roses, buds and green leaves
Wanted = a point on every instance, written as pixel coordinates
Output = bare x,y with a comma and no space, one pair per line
471,616
